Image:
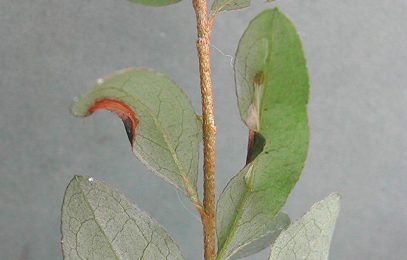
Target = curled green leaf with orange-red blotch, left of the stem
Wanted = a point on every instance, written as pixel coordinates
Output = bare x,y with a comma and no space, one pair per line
160,121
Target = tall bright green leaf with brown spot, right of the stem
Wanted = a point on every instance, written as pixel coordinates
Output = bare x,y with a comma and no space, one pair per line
272,88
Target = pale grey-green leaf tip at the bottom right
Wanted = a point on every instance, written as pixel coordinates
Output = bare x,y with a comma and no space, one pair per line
310,236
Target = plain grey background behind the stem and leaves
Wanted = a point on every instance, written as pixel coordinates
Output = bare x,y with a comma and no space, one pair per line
52,50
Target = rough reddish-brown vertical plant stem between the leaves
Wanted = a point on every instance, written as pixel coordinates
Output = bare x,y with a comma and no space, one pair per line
209,128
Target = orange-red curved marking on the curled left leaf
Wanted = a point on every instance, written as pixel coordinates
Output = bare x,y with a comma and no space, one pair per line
126,113
